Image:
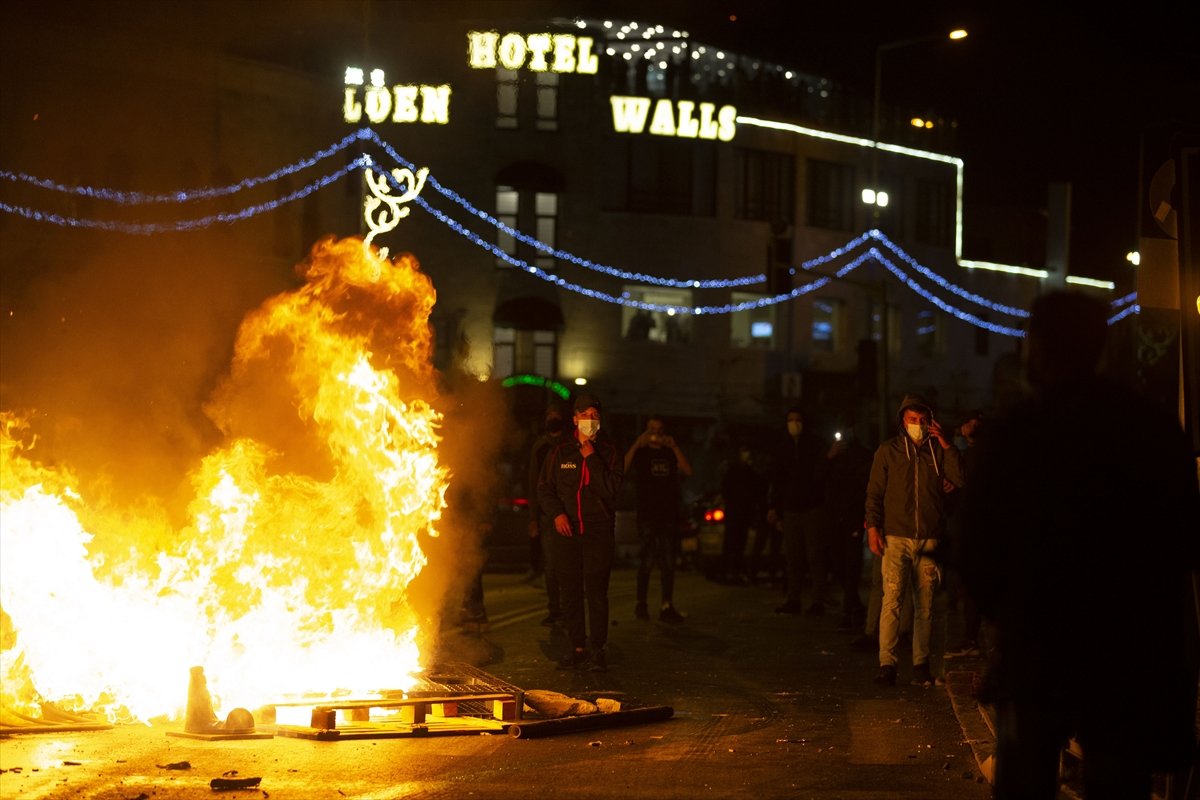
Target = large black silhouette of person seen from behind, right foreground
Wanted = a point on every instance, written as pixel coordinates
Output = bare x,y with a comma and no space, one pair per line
1079,545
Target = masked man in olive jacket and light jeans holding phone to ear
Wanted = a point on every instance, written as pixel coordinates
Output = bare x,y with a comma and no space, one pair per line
905,518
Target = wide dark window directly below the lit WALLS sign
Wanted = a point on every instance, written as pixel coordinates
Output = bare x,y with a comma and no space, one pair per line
661,176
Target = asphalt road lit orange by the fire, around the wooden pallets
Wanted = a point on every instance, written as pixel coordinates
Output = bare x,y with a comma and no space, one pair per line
763,706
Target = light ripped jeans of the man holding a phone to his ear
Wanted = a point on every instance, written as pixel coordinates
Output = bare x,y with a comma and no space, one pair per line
909,567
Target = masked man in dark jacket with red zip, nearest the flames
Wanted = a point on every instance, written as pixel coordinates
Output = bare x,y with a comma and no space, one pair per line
578,489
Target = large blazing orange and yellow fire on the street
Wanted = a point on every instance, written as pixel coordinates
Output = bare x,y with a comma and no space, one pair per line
292,570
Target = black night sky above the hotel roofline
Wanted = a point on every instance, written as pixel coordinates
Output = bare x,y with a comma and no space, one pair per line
1040,95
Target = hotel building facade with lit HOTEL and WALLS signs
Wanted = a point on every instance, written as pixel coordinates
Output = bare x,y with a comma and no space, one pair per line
609,203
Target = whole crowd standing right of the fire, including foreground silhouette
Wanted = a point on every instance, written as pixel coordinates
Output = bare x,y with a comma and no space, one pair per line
1045,525
